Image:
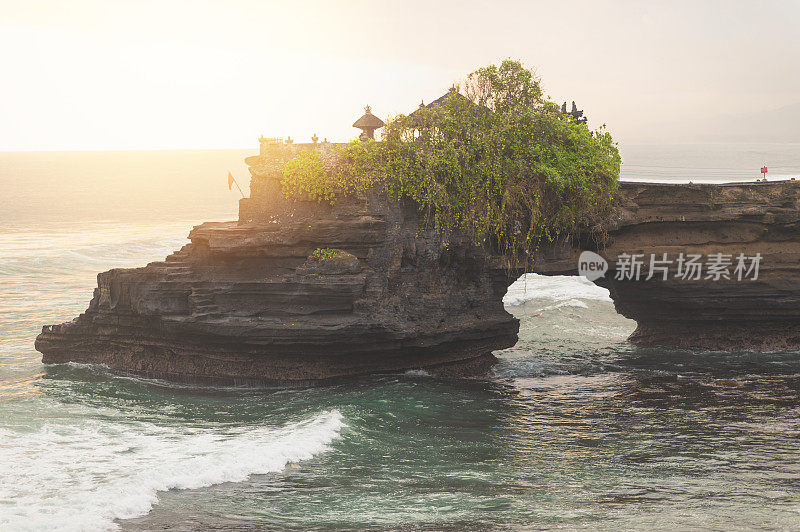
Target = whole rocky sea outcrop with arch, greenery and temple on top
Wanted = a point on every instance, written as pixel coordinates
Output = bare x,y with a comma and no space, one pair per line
312,284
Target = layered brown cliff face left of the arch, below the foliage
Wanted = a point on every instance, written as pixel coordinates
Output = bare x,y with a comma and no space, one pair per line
247,302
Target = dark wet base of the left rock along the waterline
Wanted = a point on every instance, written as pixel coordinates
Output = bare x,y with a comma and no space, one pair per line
240,365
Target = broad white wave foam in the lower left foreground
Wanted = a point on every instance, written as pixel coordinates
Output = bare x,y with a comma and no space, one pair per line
85,475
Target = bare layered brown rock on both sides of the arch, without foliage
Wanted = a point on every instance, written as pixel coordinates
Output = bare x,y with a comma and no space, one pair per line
247,302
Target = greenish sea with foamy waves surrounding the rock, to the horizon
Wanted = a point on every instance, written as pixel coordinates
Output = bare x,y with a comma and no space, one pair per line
575,429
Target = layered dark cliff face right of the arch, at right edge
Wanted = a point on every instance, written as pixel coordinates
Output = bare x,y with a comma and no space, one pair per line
706,220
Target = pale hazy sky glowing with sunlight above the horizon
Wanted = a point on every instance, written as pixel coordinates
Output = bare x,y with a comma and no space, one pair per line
214,74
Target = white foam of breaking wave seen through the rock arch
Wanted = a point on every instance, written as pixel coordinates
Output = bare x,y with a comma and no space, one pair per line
572,290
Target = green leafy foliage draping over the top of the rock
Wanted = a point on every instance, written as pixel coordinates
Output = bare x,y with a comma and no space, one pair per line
494,160
